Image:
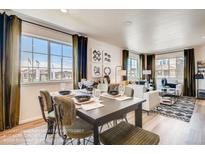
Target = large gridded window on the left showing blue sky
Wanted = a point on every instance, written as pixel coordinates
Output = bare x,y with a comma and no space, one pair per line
44,60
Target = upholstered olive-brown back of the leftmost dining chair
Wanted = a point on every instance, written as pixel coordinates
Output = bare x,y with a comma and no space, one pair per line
46,100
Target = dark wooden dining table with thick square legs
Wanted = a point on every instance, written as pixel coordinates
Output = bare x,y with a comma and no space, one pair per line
112,110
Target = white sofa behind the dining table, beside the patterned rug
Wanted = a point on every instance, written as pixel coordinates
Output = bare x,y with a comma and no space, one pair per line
152,97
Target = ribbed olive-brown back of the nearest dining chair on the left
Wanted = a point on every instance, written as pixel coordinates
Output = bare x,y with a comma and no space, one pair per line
65,112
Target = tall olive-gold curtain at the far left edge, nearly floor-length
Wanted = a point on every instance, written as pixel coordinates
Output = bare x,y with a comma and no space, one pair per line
10,33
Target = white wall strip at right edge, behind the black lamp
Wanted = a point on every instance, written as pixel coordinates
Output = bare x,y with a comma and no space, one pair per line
200,55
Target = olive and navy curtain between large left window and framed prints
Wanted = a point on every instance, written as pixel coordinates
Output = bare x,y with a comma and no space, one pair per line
79,59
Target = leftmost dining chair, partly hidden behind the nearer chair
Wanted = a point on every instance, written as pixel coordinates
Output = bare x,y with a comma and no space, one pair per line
46,106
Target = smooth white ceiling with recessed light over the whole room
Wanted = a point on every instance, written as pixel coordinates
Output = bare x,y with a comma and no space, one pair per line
149,31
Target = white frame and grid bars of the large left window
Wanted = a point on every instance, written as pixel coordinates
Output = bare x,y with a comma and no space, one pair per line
48,60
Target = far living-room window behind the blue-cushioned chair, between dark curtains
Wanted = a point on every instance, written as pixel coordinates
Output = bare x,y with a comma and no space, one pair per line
170,67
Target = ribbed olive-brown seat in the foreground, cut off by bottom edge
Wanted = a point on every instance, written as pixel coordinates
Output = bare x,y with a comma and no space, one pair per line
128,134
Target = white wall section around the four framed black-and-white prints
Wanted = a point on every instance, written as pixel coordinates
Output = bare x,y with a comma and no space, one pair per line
115,52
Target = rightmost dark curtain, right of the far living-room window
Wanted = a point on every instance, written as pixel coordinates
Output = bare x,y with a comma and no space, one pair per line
189,72
